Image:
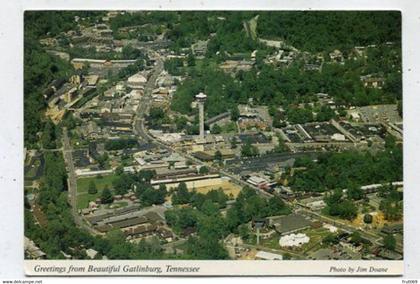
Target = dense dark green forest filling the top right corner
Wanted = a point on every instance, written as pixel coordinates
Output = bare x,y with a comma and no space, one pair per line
325,31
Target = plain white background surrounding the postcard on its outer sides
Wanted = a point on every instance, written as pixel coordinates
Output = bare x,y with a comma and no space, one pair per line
11,247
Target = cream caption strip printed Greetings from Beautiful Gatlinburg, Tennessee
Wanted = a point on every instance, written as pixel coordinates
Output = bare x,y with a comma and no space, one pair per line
213,268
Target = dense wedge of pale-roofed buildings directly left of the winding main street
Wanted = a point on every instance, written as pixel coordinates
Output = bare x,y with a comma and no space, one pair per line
106,119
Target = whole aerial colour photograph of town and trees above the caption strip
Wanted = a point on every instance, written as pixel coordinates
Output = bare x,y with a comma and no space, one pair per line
213,135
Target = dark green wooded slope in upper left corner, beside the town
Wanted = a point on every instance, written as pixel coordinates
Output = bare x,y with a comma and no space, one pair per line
40,68
